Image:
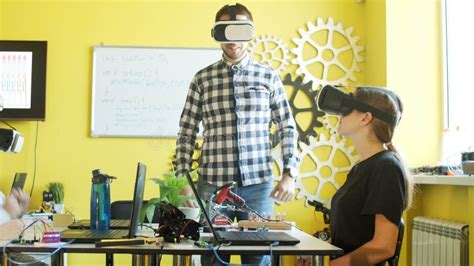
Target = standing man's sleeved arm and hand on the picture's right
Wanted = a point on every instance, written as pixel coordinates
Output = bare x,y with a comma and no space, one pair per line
286,127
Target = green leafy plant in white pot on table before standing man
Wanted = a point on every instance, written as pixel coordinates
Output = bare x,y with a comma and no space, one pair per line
170,186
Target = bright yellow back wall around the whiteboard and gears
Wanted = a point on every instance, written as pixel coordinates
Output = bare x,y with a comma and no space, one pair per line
65,150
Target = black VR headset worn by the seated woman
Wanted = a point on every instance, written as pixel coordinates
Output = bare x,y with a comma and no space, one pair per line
334,101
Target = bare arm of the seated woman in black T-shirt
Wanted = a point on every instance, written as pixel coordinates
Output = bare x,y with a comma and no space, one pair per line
381,247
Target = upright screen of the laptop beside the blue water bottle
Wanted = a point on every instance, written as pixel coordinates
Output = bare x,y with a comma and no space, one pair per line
137,200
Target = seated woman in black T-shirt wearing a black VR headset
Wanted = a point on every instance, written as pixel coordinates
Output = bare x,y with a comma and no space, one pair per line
367,209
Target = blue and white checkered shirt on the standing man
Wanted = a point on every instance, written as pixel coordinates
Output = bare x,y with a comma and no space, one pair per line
236,104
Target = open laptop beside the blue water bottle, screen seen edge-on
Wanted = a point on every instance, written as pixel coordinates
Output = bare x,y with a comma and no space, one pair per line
92,236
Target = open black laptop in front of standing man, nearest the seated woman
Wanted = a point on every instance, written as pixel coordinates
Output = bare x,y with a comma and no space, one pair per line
242,238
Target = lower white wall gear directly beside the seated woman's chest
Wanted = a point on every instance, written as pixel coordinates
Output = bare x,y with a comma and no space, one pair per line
309,150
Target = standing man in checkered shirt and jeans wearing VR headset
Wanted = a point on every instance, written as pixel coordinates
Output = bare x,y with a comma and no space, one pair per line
236,99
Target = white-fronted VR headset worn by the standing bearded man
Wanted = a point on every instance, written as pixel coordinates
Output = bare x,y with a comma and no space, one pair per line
233,30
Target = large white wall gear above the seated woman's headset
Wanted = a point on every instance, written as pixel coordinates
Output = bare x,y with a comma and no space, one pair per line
331,29
